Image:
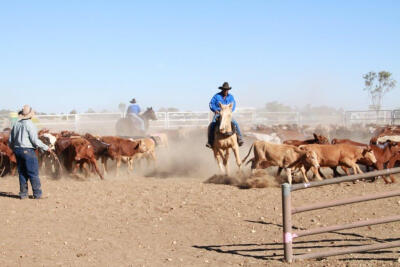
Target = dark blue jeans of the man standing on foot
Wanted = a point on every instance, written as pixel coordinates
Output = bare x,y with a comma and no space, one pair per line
28,169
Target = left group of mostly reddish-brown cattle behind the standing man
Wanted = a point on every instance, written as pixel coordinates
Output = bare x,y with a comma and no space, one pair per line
74,152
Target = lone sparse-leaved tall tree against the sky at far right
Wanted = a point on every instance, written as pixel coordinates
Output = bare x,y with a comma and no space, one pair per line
377,86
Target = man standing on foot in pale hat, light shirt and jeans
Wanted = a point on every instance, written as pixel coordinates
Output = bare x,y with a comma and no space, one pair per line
23,141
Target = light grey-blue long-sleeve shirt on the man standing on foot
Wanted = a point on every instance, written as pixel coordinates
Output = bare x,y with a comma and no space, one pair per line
24,135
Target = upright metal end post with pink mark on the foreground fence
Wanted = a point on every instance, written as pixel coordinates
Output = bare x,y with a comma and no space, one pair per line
287,222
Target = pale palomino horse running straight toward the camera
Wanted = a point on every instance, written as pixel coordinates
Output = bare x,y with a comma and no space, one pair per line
225,139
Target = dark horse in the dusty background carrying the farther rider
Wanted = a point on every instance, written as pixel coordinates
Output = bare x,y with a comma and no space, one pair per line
125,127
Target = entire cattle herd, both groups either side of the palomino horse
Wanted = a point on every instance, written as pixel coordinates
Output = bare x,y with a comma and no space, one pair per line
283,146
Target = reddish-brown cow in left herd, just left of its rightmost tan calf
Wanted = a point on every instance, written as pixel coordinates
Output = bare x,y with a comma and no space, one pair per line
121,148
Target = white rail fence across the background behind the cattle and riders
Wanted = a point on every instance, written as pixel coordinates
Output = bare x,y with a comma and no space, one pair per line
105,122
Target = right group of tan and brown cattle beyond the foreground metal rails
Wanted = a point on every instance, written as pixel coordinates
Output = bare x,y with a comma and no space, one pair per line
382,151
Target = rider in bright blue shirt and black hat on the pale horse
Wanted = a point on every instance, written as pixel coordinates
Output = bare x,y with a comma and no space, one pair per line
225,98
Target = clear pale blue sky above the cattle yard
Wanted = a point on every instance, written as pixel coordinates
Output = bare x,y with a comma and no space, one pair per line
63,55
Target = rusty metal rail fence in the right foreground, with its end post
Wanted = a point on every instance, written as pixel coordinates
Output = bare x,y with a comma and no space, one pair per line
288,211
